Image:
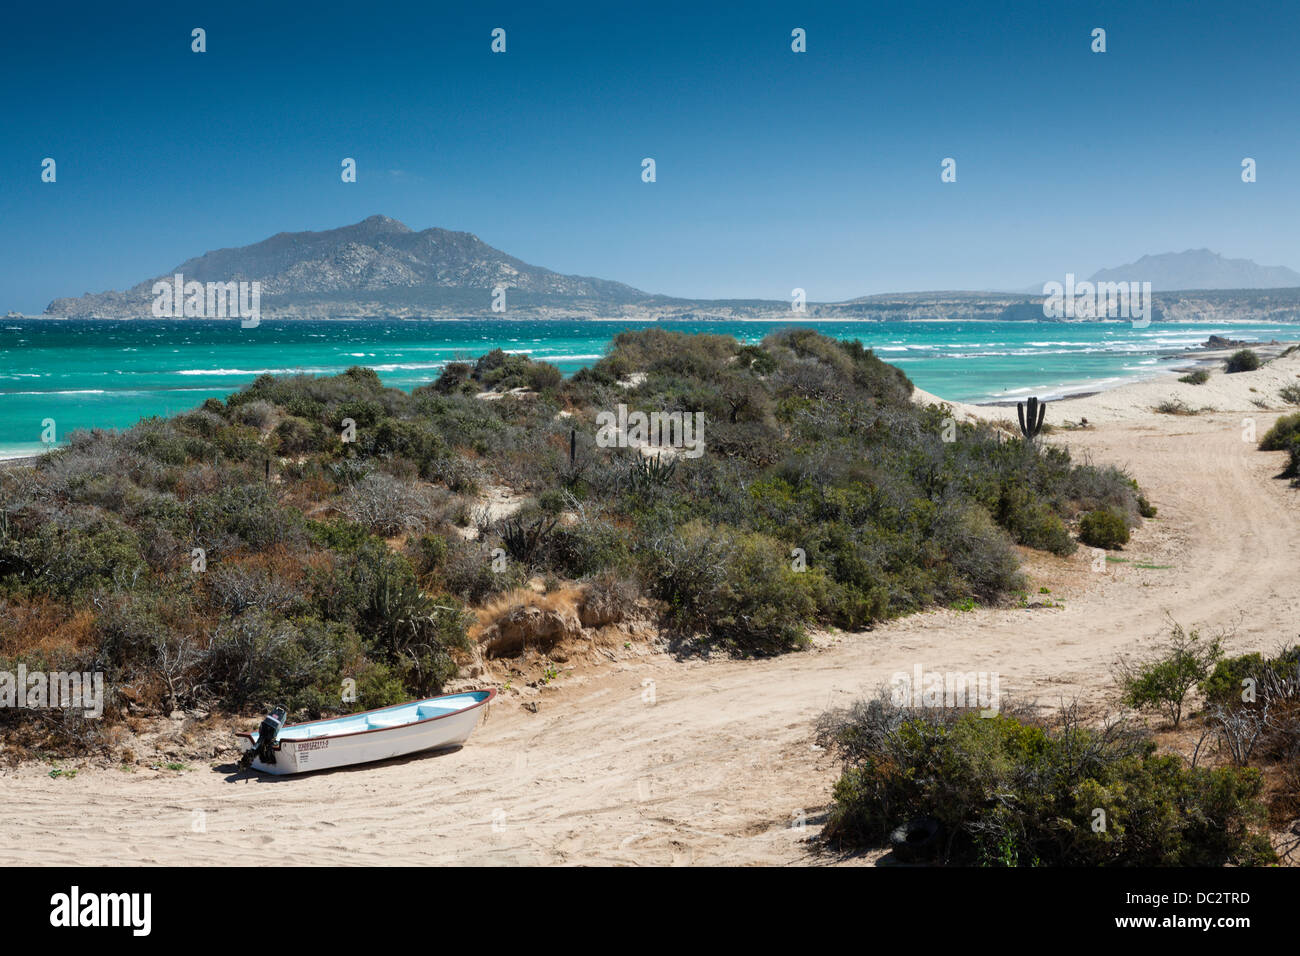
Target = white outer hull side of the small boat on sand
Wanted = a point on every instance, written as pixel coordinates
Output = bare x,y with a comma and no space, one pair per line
304,755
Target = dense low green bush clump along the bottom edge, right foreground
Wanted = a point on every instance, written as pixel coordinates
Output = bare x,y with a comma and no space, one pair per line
1011,790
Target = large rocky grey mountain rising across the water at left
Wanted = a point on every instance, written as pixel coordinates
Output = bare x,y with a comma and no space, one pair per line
374,267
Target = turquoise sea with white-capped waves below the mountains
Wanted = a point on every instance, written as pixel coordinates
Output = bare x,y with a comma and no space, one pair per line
111,374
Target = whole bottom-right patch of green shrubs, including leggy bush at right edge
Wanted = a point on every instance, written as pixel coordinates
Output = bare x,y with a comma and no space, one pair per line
1026,788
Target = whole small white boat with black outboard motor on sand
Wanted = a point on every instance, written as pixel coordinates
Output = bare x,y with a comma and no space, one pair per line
434,724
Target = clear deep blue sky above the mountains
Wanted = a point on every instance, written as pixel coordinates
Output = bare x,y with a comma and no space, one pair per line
775,170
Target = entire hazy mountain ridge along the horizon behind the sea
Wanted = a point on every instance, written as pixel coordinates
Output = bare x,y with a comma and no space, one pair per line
380,269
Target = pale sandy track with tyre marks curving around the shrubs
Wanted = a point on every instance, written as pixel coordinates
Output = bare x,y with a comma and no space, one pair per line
658,762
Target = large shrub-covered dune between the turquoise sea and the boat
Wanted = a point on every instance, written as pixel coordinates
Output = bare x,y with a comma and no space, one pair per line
311,531
